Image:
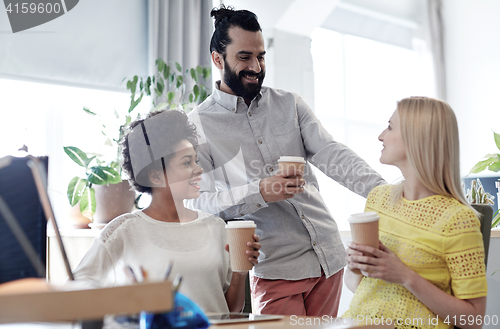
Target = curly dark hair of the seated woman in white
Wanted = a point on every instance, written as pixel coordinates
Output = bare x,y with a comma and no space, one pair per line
152,139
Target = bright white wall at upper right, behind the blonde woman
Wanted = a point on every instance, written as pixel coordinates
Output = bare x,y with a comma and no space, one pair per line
472,53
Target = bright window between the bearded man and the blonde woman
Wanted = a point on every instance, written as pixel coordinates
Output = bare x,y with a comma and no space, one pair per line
357,84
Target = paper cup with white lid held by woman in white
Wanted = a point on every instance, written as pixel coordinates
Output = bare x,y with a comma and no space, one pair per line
238,234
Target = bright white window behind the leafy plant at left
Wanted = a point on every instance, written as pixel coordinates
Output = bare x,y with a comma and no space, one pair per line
46,117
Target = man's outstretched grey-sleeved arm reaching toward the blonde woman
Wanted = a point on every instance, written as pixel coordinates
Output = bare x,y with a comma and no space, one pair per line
334,159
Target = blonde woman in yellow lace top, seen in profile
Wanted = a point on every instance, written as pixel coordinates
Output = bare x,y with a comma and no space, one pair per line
429,270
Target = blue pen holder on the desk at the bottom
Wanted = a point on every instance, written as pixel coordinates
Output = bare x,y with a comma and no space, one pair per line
186,314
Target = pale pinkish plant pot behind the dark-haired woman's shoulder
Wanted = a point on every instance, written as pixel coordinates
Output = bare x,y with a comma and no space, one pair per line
112,201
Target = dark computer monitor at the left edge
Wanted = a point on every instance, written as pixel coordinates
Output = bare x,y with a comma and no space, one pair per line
19,195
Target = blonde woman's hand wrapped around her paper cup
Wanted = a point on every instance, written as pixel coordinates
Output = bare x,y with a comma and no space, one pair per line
384,265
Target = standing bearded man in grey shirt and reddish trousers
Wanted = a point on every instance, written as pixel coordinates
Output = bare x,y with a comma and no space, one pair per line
244,129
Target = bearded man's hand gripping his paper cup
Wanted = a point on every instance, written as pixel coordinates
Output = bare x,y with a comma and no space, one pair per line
282,186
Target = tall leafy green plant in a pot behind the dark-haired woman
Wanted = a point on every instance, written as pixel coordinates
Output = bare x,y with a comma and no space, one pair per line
168,88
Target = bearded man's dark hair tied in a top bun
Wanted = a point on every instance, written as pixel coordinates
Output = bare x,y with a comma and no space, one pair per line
226,17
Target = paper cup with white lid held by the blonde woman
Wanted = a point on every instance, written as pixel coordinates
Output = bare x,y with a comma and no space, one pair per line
364,230
